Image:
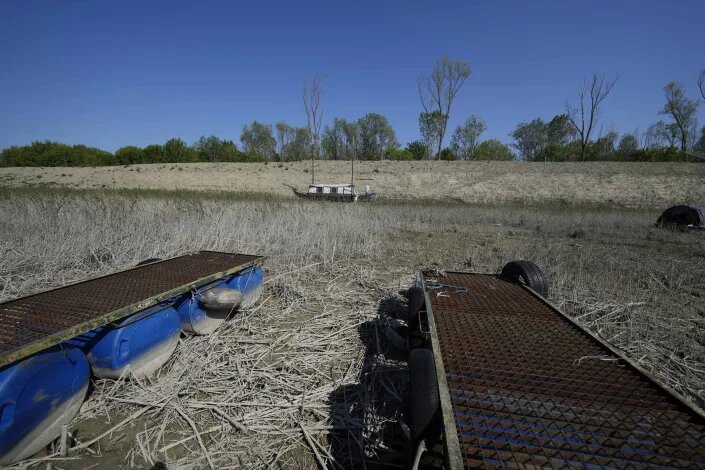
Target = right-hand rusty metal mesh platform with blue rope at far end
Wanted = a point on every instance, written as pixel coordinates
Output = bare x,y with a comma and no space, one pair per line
522,386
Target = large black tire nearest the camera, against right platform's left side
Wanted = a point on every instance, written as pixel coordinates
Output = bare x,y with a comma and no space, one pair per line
425,403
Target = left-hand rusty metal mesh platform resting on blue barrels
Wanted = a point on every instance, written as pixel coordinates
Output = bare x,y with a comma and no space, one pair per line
30,324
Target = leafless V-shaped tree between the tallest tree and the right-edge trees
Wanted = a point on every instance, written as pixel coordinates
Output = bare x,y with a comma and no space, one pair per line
584,116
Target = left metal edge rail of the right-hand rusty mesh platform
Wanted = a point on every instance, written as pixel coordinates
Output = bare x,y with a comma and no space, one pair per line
452,441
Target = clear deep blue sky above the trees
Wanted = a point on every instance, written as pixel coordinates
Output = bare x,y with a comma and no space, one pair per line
112,73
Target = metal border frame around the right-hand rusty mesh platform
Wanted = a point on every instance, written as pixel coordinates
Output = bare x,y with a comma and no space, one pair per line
453,454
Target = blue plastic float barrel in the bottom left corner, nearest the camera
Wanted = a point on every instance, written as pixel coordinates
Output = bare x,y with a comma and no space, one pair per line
39,395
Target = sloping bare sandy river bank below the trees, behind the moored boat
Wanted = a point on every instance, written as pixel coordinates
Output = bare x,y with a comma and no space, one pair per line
620,183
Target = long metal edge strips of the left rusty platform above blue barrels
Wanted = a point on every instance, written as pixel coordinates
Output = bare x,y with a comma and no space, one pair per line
68,333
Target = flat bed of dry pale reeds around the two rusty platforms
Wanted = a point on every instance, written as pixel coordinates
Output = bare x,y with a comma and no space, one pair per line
308,367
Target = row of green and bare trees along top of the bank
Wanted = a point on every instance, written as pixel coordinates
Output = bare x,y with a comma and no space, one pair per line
569,136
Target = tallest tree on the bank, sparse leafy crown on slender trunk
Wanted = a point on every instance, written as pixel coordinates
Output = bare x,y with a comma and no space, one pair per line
438,91
